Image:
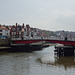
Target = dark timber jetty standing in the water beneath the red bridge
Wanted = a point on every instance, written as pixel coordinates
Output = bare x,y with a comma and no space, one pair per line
64,50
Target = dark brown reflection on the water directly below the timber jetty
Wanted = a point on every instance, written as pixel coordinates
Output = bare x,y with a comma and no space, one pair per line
67,62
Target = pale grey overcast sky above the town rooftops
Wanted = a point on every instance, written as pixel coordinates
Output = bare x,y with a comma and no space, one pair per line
44,14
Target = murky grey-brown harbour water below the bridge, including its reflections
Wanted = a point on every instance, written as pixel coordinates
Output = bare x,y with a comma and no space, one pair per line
42,62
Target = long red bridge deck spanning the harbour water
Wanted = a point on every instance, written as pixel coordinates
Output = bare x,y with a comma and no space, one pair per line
38,40
